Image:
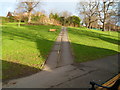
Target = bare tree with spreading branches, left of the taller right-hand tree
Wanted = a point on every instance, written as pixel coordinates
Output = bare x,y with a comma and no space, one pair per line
89,11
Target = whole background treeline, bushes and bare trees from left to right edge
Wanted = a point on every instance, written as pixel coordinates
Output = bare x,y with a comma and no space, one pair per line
102,15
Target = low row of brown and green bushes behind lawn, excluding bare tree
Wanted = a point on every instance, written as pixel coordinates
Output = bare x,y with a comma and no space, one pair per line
63,19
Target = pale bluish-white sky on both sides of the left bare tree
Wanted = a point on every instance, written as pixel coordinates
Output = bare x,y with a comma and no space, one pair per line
47,6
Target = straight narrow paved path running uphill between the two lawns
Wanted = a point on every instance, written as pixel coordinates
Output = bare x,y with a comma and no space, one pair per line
61,54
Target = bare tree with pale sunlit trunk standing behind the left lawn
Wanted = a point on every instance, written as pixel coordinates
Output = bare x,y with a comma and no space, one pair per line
28,6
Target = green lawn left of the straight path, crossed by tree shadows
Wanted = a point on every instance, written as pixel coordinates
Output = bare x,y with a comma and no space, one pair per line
25,48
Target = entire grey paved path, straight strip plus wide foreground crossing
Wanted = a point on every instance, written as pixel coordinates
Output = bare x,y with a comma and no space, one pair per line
60,72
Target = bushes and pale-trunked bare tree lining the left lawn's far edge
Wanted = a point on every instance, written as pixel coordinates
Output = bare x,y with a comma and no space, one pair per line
26,12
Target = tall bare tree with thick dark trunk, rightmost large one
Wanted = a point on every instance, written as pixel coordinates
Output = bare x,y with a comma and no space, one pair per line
105,12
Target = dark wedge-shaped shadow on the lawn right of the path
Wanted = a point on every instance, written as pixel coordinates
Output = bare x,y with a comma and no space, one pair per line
83,53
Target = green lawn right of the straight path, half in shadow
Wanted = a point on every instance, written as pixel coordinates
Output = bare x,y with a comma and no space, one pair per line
88,44
